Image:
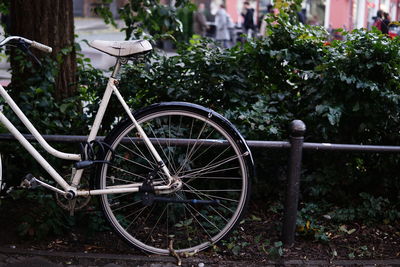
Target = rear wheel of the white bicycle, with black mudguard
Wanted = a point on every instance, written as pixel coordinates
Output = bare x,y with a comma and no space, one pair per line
202,150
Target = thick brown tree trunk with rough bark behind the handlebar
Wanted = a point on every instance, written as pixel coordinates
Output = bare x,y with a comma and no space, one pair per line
50,22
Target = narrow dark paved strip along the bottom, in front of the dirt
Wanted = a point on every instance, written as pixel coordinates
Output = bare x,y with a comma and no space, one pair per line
14,257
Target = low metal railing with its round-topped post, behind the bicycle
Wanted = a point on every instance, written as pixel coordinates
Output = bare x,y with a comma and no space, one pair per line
296,145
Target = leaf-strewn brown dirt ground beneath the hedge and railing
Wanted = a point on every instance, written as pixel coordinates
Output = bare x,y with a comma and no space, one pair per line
257,239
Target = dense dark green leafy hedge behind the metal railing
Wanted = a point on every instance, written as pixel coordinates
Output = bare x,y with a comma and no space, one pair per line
345,92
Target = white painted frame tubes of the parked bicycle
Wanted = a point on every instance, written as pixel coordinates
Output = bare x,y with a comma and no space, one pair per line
77,174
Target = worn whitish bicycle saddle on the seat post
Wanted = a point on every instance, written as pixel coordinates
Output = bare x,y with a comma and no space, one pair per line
121,48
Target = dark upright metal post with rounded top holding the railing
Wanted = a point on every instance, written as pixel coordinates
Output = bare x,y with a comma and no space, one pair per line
297,130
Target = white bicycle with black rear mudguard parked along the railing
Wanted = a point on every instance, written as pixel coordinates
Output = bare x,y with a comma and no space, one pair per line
172,177
